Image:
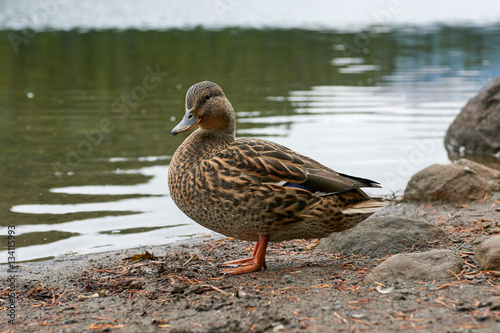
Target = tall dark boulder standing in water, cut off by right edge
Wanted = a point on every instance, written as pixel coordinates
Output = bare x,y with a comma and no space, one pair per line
476,130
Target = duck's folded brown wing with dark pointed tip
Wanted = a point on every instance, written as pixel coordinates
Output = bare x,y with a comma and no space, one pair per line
271,162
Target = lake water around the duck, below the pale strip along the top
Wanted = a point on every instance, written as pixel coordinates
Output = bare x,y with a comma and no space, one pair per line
86,116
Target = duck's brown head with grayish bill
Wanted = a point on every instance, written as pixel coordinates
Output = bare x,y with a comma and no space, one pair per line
207,107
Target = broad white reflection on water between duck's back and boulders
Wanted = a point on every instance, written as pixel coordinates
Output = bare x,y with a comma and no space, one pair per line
375,132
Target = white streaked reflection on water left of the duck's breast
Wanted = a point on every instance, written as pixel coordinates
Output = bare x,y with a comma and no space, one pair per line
155,219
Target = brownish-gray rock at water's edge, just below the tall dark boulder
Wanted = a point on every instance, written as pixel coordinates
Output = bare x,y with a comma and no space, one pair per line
456,182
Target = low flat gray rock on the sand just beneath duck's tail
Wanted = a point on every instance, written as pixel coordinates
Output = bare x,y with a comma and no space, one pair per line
384,235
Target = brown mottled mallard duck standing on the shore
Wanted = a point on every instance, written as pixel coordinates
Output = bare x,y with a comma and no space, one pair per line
253,189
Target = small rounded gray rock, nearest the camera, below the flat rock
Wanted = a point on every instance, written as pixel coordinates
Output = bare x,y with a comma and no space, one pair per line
431,265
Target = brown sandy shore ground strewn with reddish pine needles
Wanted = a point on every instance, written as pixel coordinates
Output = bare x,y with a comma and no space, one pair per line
179,288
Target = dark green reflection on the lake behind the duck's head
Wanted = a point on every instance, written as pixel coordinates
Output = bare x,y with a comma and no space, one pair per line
69,100
